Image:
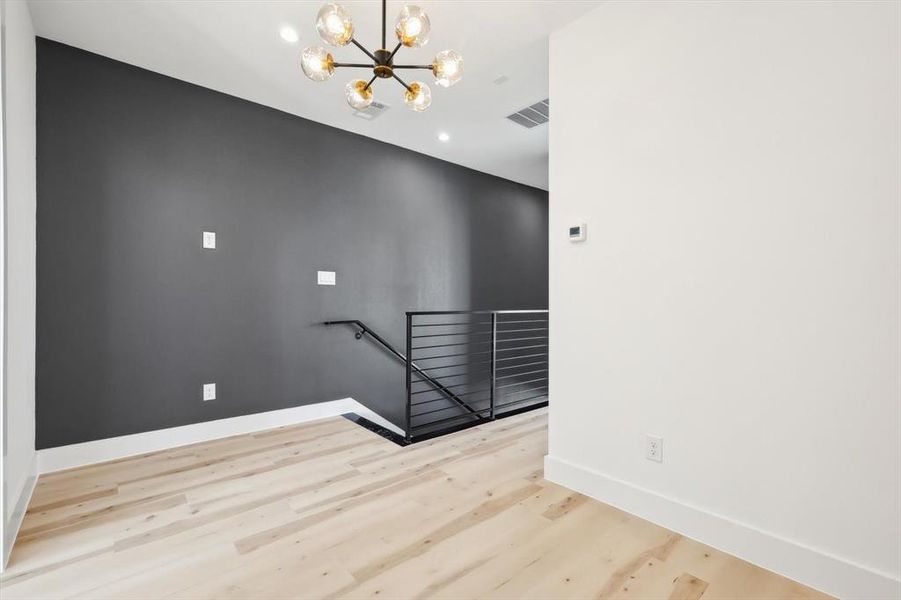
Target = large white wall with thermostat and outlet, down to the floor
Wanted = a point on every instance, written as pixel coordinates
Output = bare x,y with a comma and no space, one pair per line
737,164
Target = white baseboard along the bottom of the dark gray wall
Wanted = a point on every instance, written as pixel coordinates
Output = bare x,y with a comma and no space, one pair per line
86,453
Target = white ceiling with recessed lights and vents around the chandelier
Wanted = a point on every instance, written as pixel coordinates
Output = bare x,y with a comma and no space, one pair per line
235,47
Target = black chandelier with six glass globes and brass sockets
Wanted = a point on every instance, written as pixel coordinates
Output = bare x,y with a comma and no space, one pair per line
412,27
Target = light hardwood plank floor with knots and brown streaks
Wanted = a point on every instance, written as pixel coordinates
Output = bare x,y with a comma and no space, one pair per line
331,510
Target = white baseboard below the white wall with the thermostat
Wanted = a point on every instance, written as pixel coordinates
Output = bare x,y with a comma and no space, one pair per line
810,566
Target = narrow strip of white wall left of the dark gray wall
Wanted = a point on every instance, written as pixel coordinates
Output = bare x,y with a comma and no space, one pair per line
19,464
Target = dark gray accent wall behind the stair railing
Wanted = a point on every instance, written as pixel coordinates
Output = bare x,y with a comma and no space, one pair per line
133,316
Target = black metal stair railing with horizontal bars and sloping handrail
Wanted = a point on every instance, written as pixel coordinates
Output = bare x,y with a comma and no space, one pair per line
468,367
